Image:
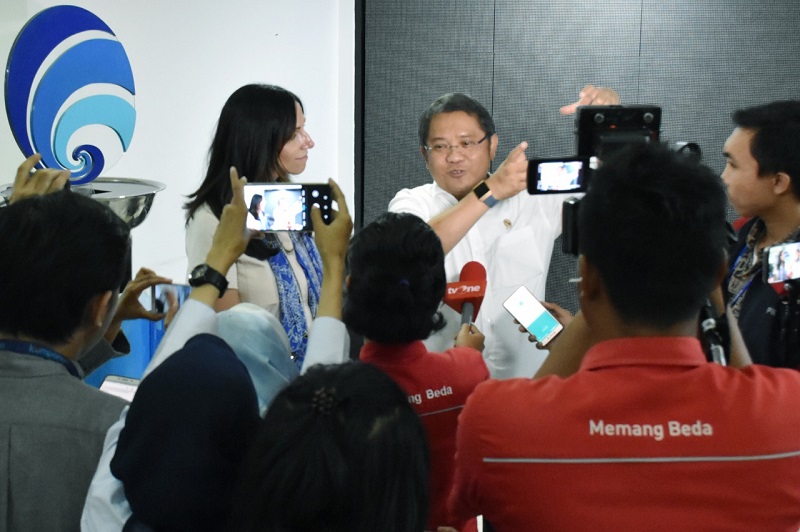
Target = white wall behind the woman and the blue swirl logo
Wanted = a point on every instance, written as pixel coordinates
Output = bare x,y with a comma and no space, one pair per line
187,58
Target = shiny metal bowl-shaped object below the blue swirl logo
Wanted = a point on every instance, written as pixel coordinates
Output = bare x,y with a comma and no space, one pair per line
131,199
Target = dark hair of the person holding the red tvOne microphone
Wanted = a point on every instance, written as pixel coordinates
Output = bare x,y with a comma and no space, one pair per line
397,280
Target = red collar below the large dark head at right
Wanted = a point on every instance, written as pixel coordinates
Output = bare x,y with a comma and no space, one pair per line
646,351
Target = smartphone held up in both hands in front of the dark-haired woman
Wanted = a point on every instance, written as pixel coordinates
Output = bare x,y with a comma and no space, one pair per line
286,206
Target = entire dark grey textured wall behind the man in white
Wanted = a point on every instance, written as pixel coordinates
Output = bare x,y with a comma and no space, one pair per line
523,59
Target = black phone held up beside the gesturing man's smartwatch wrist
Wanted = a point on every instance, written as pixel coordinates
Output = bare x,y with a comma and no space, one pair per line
558,175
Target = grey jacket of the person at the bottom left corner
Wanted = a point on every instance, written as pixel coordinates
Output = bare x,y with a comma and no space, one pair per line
52,427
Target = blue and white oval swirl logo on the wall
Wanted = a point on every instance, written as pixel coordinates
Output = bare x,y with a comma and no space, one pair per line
70,92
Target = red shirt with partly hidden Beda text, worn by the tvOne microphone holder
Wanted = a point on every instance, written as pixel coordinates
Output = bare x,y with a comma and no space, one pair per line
437,385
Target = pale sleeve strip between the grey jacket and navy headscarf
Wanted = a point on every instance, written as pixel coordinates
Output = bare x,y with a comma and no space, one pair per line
106,507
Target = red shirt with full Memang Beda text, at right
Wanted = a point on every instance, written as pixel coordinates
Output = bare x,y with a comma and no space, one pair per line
646,435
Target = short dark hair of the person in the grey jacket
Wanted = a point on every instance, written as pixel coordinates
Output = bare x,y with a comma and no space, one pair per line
59,251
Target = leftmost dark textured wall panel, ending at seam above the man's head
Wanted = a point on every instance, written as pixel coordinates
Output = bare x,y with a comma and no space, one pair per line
416,51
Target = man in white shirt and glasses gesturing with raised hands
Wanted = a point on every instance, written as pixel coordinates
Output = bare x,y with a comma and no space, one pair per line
487,218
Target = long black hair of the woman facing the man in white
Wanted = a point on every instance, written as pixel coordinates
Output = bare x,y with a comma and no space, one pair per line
254,125
